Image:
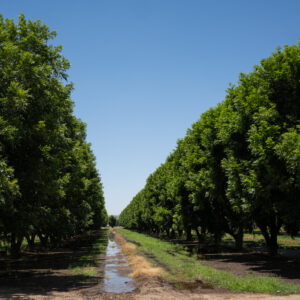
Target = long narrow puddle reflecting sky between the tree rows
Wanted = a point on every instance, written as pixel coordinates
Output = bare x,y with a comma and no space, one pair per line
117,271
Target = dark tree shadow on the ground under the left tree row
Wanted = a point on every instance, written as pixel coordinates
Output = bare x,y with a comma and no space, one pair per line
48,271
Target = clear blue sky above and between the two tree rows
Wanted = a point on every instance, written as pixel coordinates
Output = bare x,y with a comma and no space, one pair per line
145,70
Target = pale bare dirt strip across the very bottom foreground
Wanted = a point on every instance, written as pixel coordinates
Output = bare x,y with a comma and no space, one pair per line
147,288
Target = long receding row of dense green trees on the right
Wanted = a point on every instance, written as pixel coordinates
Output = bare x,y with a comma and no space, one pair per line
237,168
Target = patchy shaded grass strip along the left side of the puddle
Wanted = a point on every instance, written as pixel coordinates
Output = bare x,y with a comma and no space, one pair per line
87,264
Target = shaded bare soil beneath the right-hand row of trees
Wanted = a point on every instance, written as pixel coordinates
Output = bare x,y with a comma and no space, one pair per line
253,260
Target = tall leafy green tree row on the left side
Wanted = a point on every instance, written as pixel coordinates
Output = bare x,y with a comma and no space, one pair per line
49,185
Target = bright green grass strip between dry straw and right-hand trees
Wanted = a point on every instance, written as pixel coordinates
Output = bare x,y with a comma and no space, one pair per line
182,267
